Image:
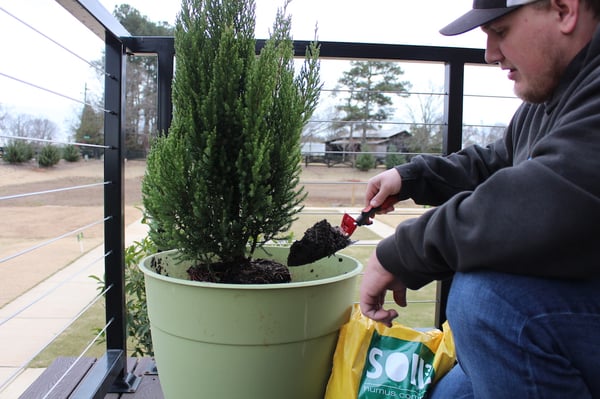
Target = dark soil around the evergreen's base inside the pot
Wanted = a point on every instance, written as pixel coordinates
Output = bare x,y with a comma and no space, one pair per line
255,271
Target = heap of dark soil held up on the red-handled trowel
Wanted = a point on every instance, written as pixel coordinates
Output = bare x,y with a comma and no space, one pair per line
319,241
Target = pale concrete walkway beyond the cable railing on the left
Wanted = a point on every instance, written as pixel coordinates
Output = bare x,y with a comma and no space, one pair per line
50,307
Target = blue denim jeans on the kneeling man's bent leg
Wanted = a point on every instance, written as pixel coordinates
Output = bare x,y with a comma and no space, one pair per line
523,338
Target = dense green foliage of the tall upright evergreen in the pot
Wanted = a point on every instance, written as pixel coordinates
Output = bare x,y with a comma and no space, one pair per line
225,179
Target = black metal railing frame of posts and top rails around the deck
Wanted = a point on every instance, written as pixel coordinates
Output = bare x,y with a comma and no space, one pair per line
110,372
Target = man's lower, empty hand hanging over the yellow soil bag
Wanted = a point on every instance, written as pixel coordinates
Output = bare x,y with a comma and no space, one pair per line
375,283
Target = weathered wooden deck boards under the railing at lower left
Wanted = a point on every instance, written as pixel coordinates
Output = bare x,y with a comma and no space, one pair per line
149,386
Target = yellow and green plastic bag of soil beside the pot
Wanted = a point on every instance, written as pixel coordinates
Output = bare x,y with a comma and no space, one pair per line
372,361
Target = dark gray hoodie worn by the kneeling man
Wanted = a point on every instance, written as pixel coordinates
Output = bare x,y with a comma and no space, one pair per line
528,204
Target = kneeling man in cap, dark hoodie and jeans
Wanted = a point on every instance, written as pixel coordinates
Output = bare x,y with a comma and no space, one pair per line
518,222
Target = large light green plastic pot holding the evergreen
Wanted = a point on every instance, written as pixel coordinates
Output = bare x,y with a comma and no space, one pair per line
262,341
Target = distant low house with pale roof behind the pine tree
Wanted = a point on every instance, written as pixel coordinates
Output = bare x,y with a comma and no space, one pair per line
378,142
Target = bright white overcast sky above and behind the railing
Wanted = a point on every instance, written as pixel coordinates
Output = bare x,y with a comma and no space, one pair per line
30,57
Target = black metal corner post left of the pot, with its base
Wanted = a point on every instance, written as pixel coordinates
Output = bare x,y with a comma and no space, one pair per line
109,373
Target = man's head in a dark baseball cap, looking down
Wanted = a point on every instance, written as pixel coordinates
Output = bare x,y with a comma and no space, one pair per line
534,40
